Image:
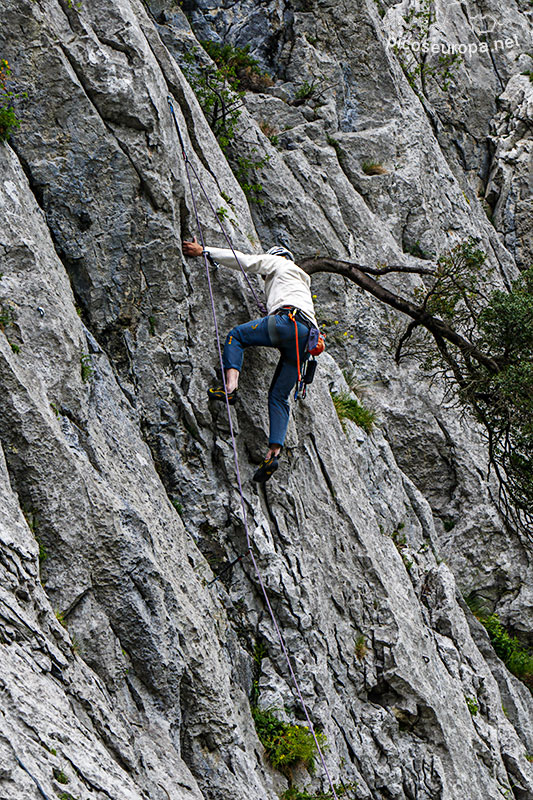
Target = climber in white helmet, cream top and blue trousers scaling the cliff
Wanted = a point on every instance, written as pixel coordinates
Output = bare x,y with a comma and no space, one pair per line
287,289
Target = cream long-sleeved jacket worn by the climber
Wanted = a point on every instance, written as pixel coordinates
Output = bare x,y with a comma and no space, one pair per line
285,283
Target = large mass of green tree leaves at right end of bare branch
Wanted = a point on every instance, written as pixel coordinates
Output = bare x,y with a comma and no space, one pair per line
494,379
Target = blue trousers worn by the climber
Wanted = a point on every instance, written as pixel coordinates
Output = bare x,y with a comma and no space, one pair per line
273,331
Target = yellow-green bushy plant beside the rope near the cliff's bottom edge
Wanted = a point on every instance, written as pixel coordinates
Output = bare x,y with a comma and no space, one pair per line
286,745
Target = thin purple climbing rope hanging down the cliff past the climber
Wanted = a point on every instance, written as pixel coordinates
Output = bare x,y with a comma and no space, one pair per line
188,168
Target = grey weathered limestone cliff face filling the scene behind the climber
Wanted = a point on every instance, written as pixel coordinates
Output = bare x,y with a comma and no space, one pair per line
113,461
